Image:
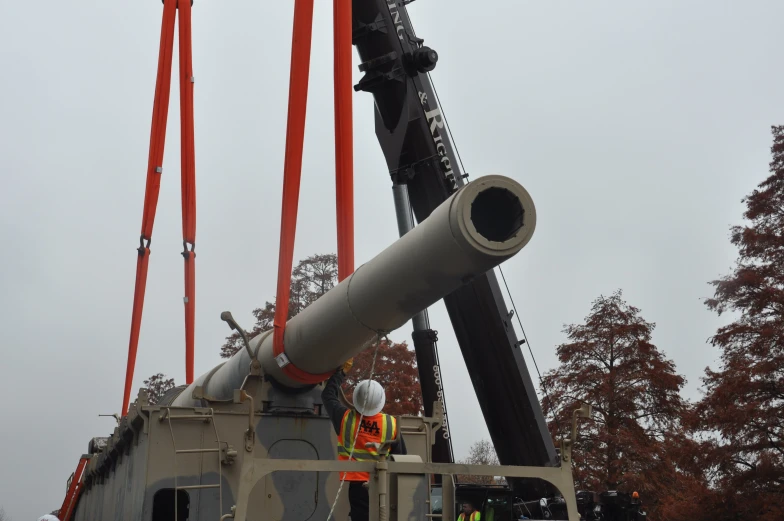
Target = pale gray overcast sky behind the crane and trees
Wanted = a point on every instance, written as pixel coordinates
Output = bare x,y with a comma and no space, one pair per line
637,128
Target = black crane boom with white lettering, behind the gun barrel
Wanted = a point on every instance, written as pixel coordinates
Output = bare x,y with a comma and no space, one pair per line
411,129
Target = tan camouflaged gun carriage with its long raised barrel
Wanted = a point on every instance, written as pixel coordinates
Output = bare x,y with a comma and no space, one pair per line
247,441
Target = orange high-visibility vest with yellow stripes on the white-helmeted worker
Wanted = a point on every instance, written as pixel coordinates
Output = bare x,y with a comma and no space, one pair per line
374,429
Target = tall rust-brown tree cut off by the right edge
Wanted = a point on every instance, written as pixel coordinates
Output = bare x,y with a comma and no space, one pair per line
741,417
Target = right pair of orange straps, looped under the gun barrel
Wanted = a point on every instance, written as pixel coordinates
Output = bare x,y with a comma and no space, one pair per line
344,165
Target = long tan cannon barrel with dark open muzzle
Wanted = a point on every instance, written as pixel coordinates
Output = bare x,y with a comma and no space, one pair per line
484,223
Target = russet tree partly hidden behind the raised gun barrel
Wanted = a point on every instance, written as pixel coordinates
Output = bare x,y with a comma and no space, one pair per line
395,367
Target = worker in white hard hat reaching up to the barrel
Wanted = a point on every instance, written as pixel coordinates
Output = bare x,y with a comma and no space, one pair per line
374,427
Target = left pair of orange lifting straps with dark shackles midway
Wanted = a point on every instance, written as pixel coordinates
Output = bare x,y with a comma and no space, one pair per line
160,114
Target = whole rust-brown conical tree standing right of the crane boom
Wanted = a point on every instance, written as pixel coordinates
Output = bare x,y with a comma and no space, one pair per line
610,362
